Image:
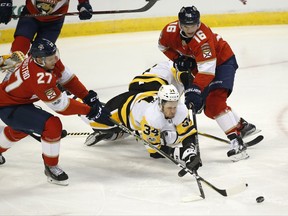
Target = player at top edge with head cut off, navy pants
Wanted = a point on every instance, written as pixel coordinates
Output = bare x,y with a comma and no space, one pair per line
48,27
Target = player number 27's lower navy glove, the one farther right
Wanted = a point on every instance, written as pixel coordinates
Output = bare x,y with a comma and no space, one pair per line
99,114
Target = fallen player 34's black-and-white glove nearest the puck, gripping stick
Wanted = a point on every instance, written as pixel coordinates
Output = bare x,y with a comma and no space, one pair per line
192,160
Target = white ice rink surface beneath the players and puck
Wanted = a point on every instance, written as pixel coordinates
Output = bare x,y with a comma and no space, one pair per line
119,178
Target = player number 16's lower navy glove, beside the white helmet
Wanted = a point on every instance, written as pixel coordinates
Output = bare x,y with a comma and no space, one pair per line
194,98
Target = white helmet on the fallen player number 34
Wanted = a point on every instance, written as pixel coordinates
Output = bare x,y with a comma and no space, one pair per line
168,93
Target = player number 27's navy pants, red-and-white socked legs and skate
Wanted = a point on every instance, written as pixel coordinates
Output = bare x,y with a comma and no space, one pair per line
29,119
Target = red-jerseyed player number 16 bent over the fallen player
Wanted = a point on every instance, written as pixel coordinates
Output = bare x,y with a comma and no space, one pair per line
193,46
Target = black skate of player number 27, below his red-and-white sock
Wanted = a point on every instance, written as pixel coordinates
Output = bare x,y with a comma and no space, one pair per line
56,175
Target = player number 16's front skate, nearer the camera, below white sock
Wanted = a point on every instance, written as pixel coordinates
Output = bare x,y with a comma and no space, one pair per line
238,149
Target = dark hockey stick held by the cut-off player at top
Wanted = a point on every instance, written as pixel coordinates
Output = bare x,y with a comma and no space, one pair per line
142,9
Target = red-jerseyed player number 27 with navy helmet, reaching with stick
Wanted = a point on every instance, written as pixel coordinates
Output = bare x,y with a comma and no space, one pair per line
35,79
